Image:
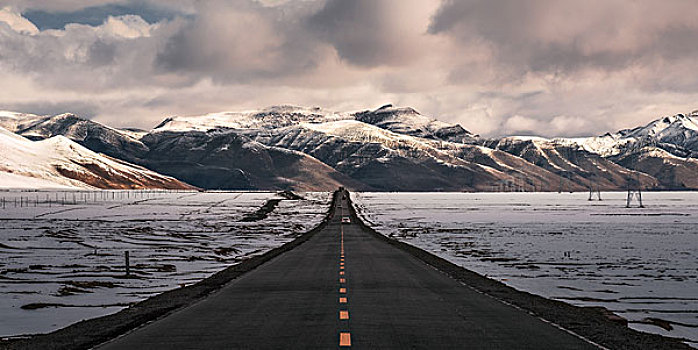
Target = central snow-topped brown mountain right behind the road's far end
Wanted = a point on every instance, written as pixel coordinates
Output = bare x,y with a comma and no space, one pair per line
394,162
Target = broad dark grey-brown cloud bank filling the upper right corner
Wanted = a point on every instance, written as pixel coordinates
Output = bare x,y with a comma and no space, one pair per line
566,36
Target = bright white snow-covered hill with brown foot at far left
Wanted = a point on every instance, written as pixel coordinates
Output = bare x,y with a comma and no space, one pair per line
59,162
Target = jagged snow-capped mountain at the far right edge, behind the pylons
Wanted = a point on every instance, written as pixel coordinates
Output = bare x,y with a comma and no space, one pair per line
658,154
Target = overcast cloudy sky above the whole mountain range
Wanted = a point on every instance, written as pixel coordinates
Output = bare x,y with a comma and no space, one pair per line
546,67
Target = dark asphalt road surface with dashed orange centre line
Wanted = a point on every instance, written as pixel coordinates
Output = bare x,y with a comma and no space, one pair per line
393,301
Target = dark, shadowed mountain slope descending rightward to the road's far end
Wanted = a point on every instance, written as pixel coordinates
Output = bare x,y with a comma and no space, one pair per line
223,159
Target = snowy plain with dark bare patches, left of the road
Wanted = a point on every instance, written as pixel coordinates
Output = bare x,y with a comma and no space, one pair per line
65,263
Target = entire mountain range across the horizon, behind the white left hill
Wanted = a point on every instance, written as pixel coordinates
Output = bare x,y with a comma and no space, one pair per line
386,149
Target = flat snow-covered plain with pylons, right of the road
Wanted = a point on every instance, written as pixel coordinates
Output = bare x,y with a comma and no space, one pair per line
638,263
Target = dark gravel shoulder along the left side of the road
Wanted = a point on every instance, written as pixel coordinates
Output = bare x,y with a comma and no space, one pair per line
89,333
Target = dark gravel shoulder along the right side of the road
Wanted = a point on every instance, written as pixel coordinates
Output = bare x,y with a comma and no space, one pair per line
590,323
